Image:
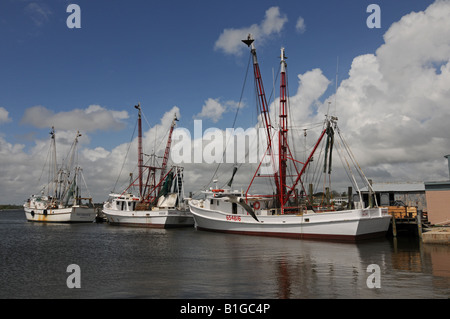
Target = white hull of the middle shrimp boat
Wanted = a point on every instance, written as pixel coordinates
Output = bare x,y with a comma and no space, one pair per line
159,218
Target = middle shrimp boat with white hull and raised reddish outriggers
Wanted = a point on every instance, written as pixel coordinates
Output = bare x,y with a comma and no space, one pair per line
160,204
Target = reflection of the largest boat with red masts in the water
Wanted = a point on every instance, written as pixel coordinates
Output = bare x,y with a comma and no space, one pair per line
313,269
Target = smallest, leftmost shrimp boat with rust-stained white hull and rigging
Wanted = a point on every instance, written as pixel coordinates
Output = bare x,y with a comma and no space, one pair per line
60,200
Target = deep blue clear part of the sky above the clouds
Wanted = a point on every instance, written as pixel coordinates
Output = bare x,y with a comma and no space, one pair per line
165,54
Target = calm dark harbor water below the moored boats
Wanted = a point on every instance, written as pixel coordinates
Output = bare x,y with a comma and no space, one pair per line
122,262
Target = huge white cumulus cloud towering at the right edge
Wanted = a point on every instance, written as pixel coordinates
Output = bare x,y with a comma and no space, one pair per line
393,106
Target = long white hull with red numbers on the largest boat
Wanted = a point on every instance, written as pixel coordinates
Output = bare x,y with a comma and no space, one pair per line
342,225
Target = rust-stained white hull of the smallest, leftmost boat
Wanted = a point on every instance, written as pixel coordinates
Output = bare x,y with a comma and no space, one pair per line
74,214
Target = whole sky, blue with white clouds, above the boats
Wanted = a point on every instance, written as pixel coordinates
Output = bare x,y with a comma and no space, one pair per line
391,96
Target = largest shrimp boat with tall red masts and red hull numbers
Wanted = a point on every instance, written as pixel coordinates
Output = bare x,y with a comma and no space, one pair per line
284,212
